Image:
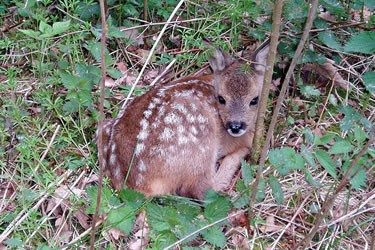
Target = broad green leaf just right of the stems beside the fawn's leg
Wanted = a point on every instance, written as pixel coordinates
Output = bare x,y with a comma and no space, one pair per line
286,160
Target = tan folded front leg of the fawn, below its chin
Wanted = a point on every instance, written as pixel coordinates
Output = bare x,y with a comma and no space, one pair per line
227,169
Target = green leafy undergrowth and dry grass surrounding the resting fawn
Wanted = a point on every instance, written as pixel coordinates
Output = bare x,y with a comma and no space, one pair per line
50,73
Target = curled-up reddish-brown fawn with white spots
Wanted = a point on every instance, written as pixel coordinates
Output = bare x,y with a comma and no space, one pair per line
170,139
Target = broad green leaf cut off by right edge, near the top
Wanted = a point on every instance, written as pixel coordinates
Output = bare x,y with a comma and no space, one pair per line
363,42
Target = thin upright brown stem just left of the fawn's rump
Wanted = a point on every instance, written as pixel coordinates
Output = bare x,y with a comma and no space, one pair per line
100,123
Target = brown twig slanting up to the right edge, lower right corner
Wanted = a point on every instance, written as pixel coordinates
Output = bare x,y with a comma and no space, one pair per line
330,200
